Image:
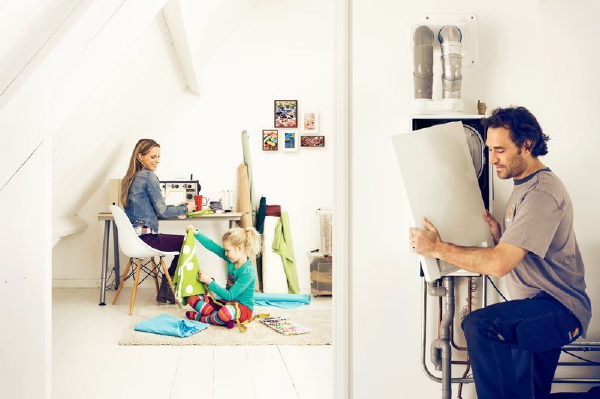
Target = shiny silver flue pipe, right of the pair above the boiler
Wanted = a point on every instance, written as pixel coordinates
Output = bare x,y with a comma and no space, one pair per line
450,38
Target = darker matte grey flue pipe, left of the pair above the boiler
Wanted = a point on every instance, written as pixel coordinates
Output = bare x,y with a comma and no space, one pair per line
423,62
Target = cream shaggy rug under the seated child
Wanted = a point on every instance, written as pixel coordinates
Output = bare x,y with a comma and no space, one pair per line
318,321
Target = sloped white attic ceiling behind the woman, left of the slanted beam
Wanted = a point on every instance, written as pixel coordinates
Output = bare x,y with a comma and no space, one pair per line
101,128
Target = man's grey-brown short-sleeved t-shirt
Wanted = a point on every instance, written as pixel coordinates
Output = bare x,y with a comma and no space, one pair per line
539,218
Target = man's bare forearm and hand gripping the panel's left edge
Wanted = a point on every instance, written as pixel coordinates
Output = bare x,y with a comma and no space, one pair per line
497,261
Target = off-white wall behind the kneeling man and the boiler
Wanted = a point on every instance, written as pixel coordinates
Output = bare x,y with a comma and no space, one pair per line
541,55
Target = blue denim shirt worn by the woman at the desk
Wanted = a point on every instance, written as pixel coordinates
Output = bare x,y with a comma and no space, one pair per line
145,204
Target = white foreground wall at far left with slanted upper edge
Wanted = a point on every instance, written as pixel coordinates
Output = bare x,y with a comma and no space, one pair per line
40,84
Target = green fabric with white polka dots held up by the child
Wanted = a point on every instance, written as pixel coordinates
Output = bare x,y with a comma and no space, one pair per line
185,280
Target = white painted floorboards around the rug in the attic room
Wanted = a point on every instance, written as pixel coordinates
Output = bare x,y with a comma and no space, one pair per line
88,363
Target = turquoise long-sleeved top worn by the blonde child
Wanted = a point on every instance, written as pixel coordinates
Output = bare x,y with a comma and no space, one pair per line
240,282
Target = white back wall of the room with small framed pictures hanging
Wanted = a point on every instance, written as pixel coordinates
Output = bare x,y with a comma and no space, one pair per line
279,52
